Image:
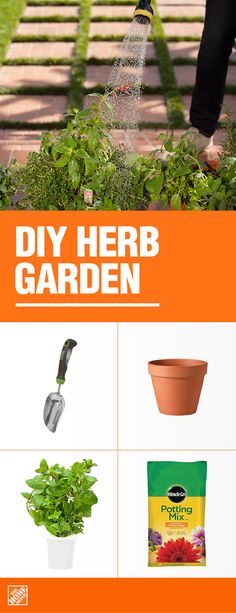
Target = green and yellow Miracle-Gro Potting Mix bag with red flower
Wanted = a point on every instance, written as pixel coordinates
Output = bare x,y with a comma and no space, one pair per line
176,511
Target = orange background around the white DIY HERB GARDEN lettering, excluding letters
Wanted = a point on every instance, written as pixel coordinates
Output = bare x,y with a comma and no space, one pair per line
192,277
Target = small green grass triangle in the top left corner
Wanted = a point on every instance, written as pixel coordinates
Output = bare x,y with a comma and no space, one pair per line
10,13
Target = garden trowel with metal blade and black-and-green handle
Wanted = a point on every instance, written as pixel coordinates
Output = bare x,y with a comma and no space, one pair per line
55,403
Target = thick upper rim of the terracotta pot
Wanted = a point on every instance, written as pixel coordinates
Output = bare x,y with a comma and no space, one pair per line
177,367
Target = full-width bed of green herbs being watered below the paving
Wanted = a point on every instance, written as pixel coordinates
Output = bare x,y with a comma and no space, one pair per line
81,159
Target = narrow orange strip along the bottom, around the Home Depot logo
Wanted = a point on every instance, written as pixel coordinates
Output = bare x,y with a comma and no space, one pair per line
125,595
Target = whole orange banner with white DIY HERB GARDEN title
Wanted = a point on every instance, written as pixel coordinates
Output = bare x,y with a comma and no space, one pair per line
117,266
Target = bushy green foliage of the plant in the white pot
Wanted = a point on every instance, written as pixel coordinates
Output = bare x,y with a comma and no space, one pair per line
61,497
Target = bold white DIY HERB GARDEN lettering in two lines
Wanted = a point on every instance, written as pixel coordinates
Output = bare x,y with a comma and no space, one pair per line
105,259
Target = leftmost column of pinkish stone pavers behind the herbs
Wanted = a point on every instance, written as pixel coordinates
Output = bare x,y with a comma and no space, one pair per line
37,72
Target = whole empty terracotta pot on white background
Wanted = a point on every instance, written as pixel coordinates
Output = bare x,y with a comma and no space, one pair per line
177,385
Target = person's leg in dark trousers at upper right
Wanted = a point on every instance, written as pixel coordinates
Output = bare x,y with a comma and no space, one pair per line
216,45
